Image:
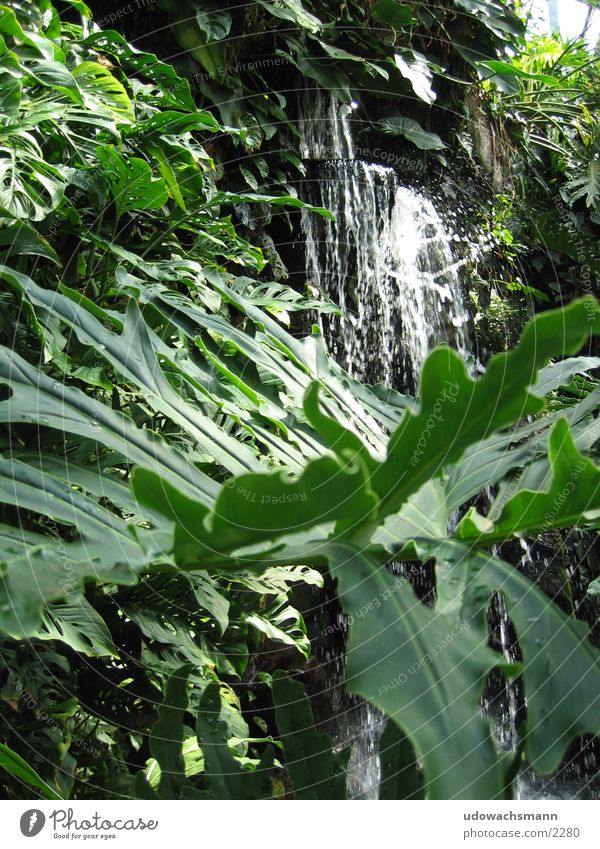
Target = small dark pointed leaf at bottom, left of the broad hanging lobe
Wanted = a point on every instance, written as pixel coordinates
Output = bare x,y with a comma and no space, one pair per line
401,777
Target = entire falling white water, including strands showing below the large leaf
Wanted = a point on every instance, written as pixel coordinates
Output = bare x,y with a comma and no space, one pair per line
389,261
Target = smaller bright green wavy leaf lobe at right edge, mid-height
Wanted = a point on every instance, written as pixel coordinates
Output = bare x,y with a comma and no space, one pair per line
572,497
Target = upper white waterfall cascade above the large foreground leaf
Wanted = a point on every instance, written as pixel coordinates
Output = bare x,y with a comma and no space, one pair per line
387,260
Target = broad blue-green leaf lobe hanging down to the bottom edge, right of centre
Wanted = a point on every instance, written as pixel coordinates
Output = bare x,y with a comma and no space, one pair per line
424,671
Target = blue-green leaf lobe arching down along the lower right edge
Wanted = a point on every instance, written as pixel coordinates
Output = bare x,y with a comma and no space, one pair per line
561,668
